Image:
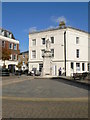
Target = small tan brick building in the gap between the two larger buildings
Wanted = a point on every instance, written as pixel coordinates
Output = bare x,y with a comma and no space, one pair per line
23,58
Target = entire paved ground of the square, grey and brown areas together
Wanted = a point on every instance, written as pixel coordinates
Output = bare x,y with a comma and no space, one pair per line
26,97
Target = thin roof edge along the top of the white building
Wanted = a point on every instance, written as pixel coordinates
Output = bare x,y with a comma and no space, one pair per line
52,29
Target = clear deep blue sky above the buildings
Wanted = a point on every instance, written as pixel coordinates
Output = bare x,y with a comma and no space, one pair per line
23,17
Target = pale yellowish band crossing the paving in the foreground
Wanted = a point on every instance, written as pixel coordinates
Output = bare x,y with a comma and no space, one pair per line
81,99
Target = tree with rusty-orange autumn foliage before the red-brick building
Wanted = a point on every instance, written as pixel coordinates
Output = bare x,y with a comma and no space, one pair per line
5,55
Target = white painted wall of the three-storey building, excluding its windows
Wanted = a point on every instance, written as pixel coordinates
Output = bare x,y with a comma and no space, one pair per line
58,46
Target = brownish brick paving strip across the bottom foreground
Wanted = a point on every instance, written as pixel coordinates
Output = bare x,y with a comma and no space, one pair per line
14,109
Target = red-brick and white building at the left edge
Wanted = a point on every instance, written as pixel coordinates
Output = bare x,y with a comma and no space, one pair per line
7,40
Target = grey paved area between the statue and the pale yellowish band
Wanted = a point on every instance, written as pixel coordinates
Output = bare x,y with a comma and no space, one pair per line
43,88
